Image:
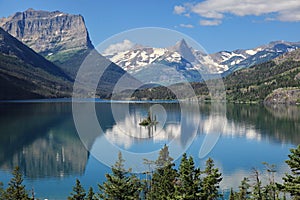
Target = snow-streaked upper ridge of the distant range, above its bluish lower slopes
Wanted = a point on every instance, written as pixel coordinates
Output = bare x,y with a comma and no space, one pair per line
223,62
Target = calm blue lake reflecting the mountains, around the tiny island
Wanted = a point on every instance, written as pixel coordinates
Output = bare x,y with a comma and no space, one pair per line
53,150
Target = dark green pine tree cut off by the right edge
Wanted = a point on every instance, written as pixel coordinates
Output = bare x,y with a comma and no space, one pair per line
292,181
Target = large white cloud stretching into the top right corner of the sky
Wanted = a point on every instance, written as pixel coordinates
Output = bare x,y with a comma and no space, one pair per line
216,10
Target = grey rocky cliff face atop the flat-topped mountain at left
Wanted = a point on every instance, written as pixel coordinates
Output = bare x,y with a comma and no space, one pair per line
48,32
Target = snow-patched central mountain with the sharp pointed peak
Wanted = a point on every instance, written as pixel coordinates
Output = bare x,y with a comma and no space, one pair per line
174,64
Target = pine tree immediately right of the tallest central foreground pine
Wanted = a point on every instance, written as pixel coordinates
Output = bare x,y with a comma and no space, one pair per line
188,183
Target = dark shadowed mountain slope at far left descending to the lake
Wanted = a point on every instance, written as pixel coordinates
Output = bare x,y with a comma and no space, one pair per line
25,74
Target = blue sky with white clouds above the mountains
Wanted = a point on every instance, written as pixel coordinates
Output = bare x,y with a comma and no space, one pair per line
215,24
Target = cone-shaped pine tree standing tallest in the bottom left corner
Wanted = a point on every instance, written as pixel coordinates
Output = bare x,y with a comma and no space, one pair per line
16,190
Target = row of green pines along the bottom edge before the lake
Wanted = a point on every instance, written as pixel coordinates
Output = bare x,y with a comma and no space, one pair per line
166,183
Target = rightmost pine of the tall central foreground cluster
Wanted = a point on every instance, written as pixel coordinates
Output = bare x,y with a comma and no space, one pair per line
210,182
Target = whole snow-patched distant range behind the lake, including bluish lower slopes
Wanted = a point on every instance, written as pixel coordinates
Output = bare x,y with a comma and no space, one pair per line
183,62
